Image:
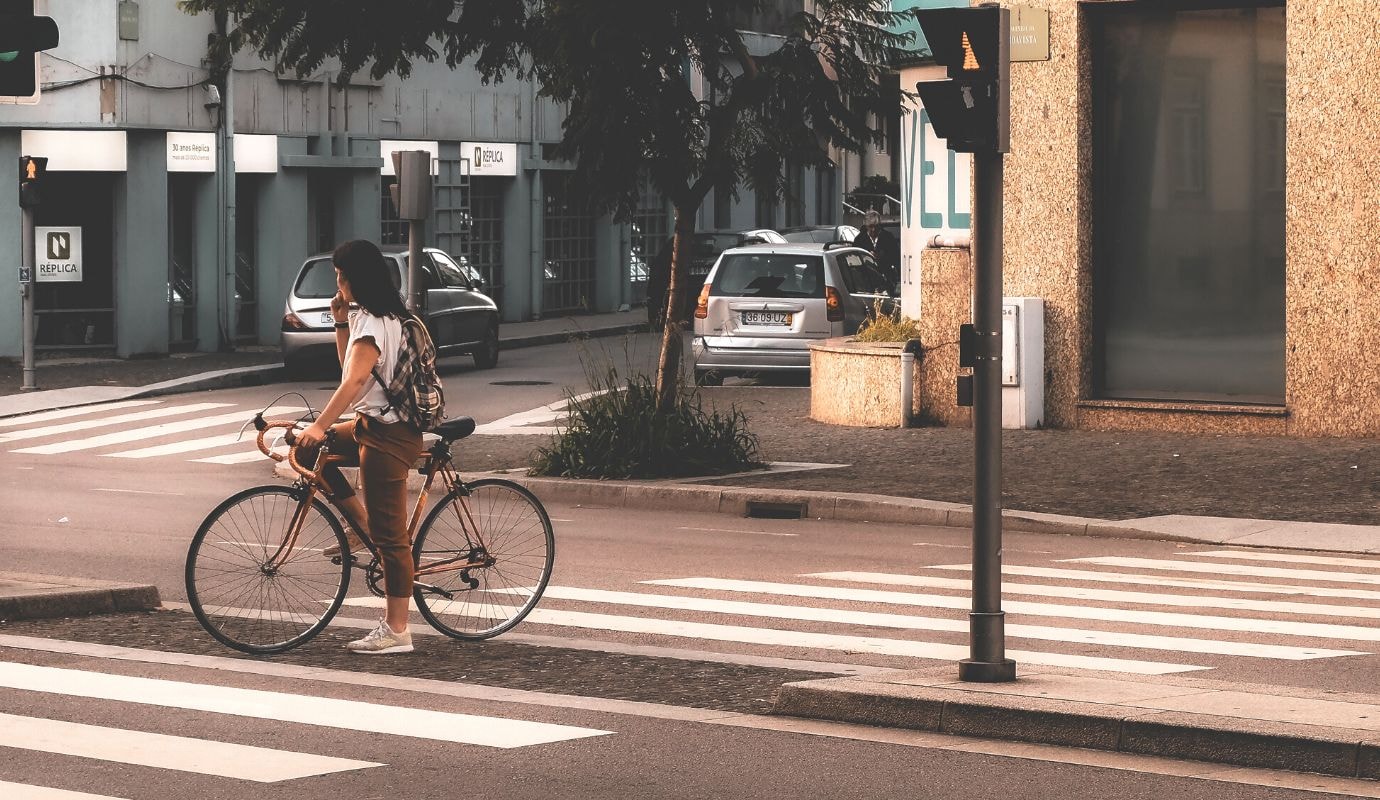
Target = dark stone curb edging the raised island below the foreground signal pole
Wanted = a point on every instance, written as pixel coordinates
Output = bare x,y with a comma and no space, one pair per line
1197,737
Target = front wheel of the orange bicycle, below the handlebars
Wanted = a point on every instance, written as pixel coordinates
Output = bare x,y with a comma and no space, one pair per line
245,601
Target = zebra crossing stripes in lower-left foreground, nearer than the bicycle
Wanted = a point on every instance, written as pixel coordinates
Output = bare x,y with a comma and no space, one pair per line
208,757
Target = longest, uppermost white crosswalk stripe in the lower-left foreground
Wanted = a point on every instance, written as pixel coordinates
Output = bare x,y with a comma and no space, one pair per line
290,708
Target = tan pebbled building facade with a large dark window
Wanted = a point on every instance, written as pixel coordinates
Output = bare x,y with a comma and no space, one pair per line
1190,190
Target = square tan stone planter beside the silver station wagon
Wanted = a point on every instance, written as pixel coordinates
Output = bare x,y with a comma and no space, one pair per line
859,384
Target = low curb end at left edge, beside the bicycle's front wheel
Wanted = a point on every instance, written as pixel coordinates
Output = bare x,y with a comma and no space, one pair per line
48,597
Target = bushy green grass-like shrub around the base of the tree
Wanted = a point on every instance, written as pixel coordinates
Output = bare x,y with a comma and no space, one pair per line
616,432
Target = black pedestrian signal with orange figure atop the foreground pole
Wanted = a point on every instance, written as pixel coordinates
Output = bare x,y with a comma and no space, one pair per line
972,108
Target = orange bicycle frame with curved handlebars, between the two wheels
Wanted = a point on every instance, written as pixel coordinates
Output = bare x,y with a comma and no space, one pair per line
438,463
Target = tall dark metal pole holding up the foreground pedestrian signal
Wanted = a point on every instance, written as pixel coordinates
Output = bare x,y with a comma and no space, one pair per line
987,621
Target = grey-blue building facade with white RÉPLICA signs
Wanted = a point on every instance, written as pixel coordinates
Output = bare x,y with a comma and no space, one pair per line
191,235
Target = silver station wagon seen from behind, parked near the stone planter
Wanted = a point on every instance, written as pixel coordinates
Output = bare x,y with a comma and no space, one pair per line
762,306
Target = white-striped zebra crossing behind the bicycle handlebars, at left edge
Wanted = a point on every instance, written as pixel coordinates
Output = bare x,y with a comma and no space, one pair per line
144,430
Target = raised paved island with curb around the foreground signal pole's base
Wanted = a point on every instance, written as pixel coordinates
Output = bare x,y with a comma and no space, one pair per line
1201,721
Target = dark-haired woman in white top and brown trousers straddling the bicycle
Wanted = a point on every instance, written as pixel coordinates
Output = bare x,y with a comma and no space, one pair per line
387,446
